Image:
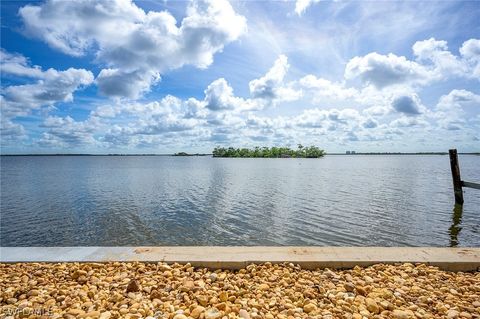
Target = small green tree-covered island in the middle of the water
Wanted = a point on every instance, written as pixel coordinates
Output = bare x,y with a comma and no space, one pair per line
275,152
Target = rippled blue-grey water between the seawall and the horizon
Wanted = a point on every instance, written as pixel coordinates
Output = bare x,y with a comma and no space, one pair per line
337,200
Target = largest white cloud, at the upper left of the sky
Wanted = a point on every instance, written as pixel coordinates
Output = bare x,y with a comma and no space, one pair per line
136,46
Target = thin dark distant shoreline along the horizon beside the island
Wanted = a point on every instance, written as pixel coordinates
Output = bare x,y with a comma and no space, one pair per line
193,155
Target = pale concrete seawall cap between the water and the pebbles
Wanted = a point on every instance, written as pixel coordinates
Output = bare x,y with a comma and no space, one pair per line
453,259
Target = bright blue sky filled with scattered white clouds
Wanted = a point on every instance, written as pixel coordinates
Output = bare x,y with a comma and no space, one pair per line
161,77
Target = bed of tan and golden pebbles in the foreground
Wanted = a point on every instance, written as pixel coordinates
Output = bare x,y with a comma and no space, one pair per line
285,291
